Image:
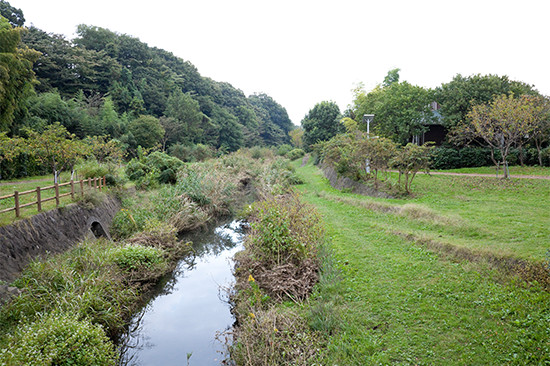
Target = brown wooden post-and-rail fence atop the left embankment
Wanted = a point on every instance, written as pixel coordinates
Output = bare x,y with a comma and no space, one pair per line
90,183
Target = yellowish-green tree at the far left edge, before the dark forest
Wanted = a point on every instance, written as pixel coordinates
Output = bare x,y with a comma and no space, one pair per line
16,75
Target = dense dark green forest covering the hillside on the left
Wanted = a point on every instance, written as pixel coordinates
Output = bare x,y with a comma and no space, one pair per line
103,83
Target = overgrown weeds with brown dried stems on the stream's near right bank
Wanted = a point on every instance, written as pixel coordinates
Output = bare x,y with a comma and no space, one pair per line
280,263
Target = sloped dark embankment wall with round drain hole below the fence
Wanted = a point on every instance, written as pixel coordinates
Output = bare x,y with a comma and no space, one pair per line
51,232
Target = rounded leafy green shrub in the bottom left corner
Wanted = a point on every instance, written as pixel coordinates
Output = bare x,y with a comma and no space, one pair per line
58,340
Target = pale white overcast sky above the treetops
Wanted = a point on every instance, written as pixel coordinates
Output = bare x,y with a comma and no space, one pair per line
302,52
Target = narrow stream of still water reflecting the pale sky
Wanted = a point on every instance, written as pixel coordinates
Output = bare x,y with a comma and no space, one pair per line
181,323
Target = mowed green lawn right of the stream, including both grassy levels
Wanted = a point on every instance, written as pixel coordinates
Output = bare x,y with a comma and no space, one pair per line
404,304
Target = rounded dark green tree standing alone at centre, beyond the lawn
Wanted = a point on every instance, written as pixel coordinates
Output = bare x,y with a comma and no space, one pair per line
321,123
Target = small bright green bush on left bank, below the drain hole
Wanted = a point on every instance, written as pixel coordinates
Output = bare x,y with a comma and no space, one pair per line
134,257
